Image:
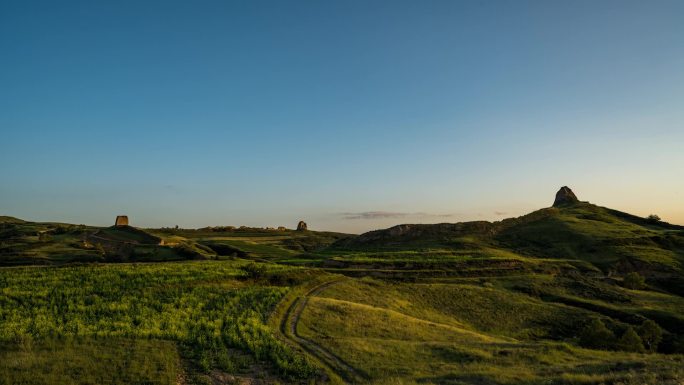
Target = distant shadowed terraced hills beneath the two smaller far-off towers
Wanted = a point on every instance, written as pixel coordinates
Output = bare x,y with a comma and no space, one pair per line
24,243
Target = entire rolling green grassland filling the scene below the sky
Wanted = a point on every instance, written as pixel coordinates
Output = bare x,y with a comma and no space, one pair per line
572,294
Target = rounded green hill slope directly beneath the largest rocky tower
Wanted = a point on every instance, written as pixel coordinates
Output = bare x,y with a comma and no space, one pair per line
604,237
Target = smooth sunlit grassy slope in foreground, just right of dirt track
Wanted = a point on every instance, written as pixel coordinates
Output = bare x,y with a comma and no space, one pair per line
469,332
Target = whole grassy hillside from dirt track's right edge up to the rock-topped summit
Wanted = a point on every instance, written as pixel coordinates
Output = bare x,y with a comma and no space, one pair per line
509,302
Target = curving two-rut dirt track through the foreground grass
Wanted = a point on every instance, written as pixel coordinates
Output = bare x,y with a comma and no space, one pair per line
288,327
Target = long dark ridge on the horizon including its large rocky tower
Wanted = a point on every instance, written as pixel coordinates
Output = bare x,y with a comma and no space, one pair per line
609,239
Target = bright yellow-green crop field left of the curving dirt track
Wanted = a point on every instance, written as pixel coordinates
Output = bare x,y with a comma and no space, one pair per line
204,308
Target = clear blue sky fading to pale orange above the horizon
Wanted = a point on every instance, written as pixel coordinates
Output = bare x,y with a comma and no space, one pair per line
351,115
